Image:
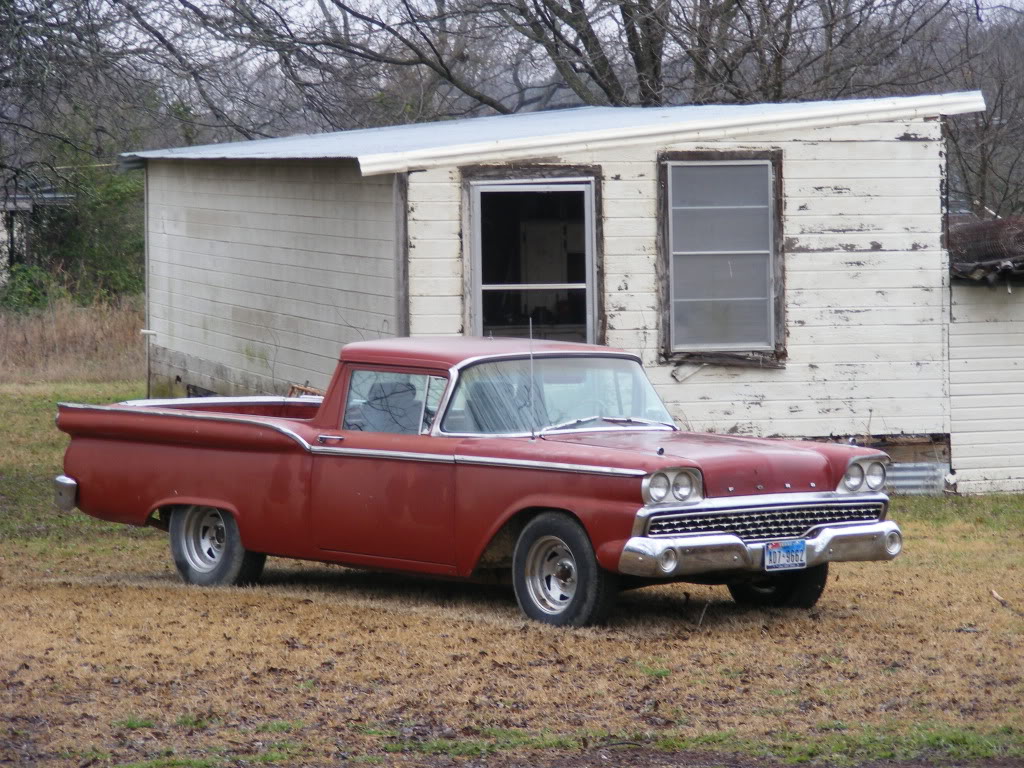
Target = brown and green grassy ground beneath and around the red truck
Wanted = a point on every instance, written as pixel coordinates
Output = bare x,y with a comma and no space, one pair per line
106,659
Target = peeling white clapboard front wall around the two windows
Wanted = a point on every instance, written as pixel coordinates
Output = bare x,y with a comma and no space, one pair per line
867,282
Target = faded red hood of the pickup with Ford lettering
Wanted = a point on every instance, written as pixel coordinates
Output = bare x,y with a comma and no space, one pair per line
733,466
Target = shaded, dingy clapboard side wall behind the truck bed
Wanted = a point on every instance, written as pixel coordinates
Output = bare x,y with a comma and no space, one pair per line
269,269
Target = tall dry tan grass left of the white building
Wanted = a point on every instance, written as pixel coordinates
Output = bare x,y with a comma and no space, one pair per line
70,343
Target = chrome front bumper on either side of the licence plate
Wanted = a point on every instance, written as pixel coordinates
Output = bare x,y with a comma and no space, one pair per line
687,556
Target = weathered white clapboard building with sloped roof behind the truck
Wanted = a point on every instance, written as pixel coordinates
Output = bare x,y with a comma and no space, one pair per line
780,268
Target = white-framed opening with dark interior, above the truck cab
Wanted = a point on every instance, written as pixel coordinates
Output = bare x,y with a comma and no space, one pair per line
534,260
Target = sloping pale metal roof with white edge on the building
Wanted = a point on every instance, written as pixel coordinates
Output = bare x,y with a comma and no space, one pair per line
522,136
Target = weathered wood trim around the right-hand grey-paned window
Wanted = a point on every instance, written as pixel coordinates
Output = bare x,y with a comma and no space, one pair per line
753,359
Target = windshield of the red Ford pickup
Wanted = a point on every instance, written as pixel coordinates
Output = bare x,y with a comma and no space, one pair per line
569,394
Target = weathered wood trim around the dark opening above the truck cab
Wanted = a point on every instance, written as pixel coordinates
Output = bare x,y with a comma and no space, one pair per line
540,172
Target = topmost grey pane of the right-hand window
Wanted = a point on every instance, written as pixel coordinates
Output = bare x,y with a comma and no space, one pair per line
720,185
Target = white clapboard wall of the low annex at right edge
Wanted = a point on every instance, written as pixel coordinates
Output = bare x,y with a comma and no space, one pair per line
987,389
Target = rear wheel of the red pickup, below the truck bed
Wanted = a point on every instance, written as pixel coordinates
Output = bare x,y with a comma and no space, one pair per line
207,548
